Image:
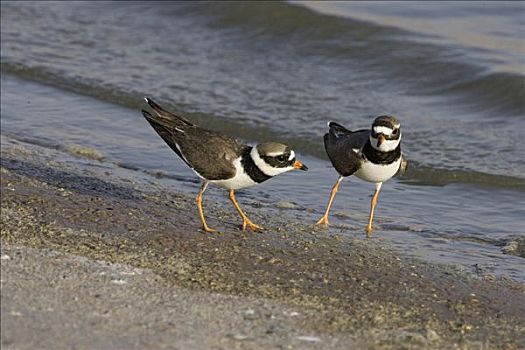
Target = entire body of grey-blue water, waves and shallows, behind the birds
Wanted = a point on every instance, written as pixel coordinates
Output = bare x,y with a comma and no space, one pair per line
279,71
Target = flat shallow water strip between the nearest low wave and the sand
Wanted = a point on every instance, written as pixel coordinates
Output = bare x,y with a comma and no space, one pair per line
459,224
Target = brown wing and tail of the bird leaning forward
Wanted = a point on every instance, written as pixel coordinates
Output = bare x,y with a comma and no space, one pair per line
207,152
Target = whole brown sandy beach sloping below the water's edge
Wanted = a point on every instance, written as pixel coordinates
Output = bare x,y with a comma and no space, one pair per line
94,258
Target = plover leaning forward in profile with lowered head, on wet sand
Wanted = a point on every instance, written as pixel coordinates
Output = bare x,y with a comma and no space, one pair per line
220,159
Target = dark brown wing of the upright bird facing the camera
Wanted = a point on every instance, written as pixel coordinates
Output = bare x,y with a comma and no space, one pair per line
341,145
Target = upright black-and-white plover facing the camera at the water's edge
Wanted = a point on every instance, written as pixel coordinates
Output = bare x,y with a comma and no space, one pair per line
373,155
